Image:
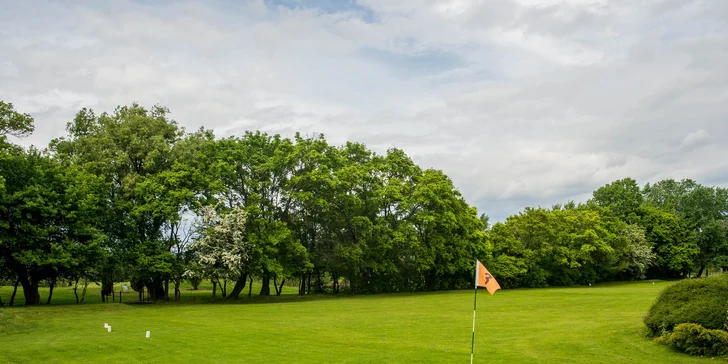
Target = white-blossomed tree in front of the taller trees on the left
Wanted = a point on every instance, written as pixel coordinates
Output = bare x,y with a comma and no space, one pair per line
223,251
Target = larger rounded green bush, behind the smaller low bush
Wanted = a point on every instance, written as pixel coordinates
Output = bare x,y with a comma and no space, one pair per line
702,301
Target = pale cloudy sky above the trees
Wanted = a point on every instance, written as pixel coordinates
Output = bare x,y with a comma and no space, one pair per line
521,102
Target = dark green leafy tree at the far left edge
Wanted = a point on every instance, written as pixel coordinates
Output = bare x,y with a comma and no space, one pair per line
47,230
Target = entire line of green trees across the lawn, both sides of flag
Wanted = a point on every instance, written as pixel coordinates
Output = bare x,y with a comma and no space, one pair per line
130,196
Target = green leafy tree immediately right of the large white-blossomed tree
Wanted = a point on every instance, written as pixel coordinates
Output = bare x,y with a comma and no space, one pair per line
256,173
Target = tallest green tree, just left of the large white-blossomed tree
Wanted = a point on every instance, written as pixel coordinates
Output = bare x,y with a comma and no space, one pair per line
145,187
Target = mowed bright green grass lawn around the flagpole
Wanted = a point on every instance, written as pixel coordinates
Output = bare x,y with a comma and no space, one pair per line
601,324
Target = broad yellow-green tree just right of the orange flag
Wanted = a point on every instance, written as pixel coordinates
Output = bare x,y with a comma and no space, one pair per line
585,244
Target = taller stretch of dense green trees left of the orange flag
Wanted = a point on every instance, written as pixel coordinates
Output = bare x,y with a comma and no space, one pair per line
131,196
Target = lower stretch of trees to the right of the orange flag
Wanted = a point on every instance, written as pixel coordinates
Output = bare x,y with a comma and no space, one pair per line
670,229
